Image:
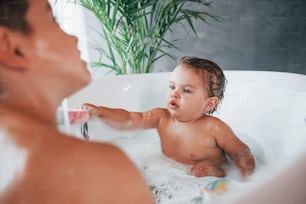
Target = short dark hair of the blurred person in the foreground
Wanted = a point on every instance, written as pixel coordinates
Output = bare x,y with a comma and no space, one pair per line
12,15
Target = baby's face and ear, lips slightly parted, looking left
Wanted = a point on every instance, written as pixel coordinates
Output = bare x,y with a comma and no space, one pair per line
187,98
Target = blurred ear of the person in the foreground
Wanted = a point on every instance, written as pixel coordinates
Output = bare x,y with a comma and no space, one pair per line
10,54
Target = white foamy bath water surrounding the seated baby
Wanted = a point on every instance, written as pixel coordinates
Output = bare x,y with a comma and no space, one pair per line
170,181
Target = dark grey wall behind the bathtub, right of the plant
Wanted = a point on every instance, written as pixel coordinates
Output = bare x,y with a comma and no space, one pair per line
254,35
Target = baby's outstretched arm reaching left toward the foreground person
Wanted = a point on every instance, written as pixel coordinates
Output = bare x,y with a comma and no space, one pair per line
122,119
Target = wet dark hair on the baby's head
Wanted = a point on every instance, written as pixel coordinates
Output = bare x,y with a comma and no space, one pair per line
211,73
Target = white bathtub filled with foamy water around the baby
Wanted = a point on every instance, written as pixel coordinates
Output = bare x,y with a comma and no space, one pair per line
266,109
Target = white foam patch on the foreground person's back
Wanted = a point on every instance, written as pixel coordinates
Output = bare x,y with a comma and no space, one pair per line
12,161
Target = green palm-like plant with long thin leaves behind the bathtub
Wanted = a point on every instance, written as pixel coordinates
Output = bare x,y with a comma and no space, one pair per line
135,30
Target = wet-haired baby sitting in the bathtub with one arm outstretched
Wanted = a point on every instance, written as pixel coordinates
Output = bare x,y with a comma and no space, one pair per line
188,133
